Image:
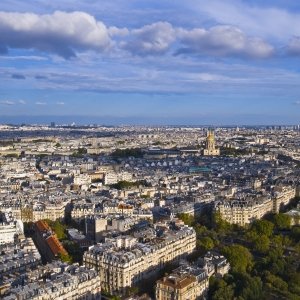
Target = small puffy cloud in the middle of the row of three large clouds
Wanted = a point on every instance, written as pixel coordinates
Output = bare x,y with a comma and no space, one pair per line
151,39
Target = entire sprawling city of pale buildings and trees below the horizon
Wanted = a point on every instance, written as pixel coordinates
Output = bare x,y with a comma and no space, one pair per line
138,212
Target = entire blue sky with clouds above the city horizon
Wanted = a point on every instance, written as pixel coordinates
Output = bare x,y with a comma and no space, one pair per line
193,62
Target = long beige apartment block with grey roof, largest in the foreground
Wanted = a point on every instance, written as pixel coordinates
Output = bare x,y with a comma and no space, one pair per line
123,262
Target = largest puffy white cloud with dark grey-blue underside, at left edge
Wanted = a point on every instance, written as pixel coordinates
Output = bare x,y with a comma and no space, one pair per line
60,33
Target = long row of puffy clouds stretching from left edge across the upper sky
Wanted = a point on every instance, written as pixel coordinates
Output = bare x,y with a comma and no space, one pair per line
65,34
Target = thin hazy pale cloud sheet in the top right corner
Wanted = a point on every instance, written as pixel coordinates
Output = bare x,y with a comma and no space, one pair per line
267,21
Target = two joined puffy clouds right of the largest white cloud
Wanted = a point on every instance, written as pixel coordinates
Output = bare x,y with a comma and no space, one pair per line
158,38
